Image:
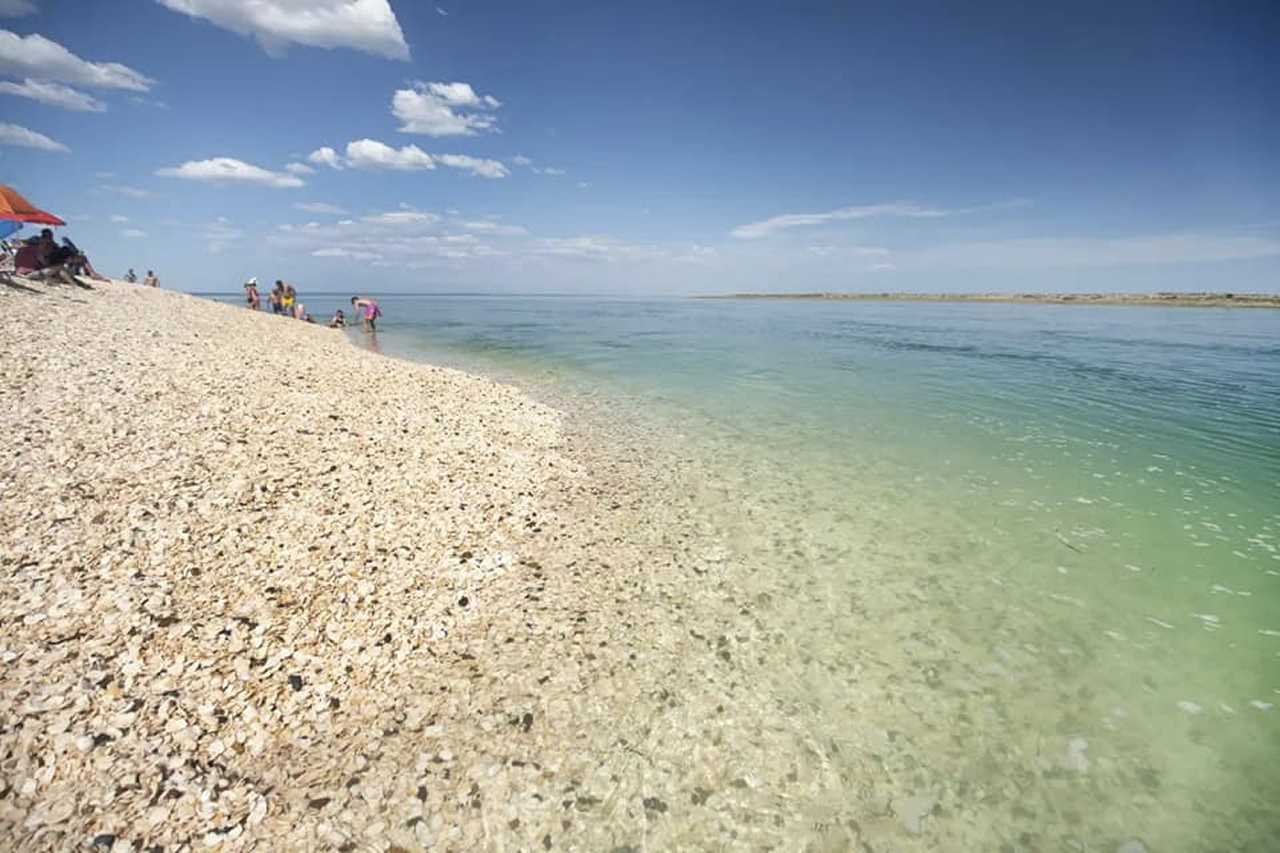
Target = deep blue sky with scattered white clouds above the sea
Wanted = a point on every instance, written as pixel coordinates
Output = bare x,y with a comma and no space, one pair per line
660,148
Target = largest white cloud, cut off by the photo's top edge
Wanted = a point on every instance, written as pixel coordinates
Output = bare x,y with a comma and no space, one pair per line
369,26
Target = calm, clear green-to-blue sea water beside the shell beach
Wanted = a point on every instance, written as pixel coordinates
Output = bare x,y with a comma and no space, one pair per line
1041,541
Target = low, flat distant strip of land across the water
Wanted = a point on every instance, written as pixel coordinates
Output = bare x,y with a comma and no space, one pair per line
1162,299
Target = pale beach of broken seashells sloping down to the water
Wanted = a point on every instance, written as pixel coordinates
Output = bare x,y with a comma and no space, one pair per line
263,586
